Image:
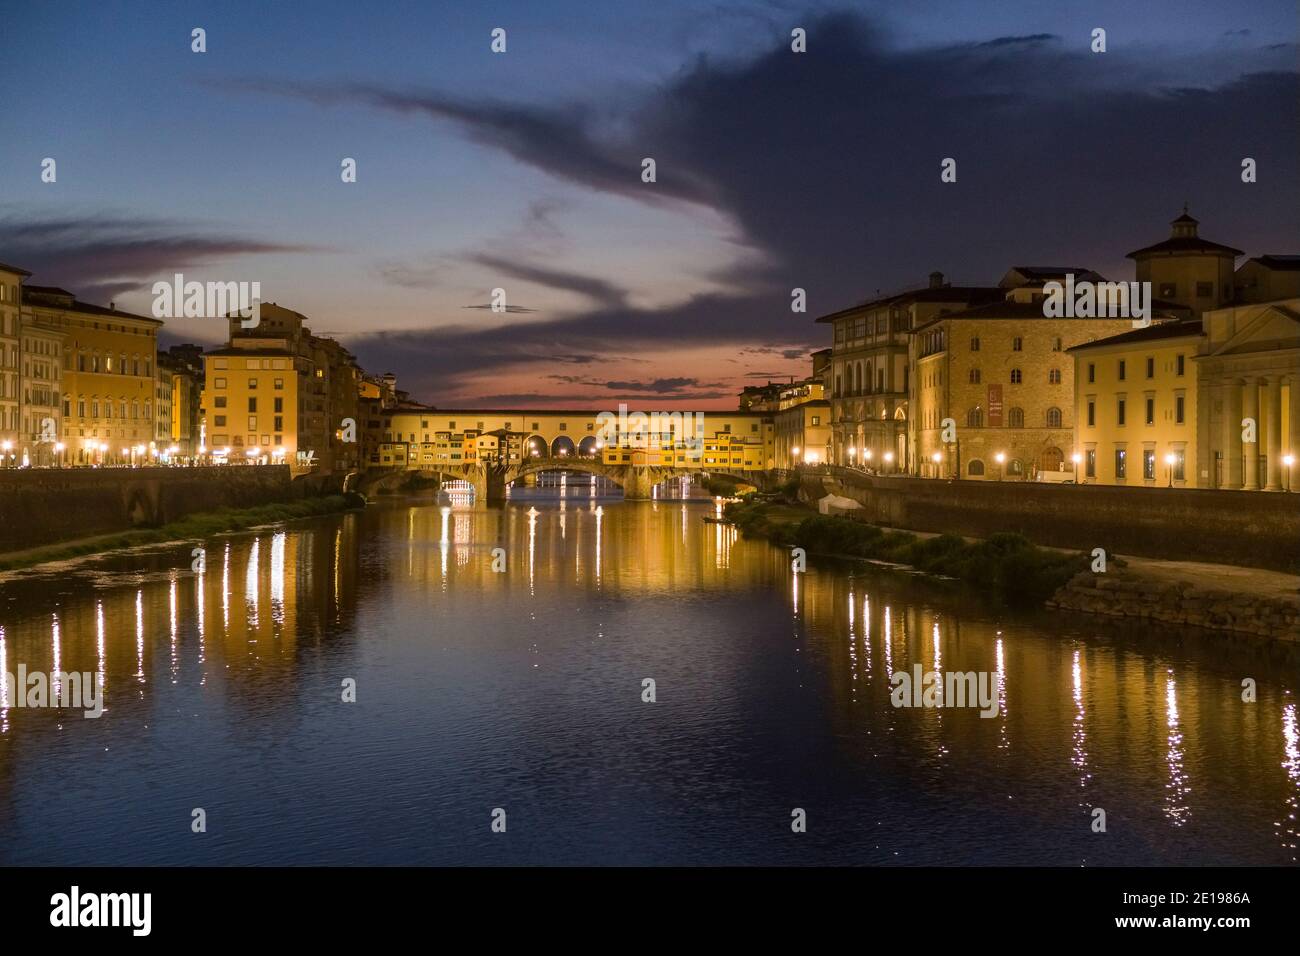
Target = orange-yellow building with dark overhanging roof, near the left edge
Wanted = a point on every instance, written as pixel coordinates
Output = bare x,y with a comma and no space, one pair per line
109,357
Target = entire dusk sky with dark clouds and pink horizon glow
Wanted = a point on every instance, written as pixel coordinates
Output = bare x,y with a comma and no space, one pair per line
523,170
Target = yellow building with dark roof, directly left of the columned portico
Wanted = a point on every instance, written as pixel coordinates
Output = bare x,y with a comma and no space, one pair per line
1137,403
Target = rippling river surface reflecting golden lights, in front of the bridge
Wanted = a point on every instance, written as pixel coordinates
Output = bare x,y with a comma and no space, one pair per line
523,691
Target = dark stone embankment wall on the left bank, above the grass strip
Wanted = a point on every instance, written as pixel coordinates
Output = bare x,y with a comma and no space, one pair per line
42,507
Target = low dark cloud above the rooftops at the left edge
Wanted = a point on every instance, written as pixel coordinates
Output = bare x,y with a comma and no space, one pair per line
105,256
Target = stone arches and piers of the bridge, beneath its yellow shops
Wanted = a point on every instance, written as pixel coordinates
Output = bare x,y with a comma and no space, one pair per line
491,481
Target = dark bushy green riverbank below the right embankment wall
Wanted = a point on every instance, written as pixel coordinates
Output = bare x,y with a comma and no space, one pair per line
1008,568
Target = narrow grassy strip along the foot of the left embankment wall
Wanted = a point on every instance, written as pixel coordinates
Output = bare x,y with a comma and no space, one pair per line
190,527
